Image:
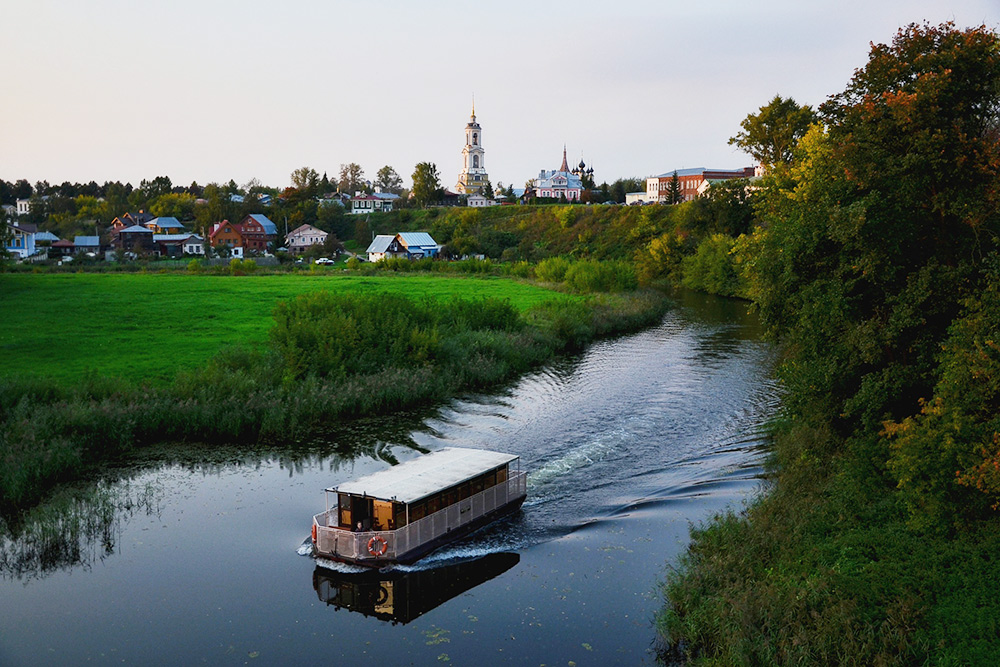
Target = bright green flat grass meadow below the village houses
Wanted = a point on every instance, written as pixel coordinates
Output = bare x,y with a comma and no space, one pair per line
146,327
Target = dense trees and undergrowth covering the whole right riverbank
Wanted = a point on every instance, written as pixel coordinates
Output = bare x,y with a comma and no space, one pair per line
876,265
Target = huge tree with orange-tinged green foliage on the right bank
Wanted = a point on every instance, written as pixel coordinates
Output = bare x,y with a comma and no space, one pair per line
866,264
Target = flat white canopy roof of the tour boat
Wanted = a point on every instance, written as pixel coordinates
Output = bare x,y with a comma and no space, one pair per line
410,481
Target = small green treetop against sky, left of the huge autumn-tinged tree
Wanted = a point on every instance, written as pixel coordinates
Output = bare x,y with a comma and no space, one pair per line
770,136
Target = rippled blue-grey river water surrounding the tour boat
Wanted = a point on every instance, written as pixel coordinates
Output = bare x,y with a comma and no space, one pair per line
184,560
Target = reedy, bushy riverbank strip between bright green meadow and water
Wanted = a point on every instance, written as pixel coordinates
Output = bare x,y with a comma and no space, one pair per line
358,352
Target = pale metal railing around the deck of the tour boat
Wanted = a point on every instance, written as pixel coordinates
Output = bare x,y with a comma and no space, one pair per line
391,544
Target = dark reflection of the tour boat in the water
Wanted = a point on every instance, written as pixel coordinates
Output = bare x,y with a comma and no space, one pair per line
400,595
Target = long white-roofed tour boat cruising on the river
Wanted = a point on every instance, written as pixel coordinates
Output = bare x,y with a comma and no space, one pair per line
405,512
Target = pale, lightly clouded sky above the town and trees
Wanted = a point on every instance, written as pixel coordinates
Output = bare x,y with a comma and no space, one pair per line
212,90
